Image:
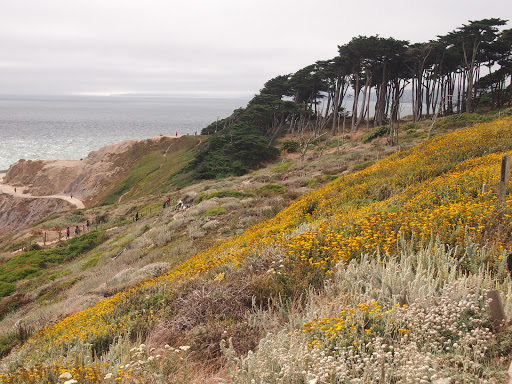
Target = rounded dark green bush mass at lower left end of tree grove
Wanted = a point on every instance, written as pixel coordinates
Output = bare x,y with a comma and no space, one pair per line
233,153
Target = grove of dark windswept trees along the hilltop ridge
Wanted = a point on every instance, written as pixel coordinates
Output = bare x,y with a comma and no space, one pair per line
465,70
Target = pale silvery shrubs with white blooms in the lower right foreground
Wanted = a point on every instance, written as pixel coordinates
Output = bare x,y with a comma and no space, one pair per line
414,319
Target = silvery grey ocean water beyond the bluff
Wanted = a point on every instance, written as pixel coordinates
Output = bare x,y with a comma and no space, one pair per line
70,127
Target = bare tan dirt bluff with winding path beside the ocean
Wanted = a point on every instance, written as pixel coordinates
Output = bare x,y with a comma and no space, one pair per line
61,178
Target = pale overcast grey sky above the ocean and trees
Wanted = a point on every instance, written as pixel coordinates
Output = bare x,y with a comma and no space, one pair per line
199,47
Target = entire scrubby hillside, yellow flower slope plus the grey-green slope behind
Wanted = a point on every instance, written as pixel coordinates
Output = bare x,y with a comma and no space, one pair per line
380,276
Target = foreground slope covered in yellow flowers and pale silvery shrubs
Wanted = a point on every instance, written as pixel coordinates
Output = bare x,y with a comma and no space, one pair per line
349,281
